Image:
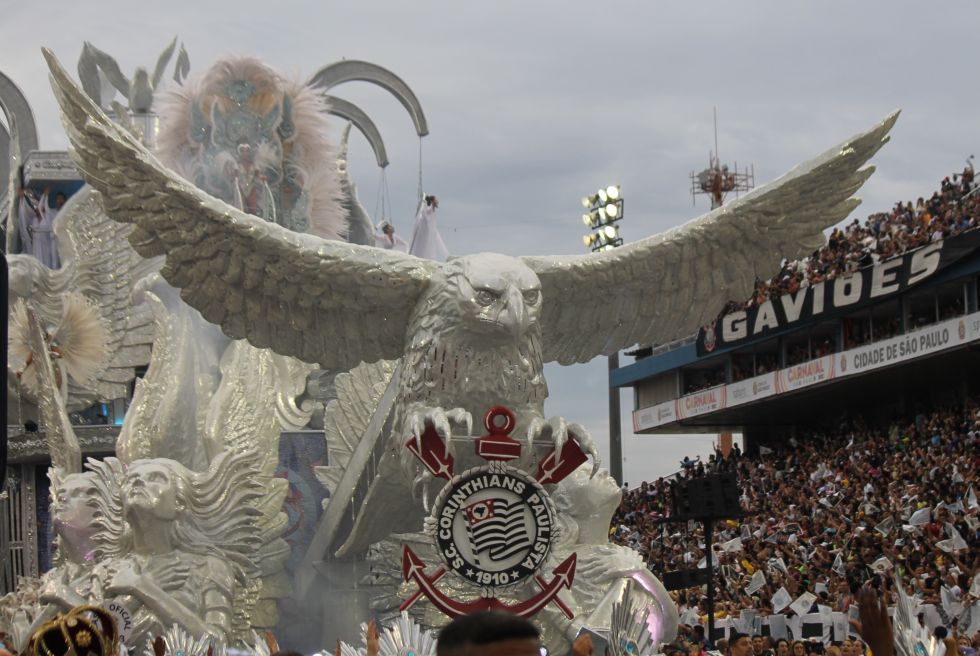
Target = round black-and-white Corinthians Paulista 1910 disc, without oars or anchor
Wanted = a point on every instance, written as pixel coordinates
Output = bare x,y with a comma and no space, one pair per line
494,525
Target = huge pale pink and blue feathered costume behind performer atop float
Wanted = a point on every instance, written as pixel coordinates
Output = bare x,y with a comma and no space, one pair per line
288,132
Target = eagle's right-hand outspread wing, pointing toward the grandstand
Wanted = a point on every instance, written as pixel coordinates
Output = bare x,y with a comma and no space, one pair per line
666,286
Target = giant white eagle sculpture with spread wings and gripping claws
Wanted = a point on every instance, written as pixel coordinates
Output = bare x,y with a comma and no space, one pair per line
472,332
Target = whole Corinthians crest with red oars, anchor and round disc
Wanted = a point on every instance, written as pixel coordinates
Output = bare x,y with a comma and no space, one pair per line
492,525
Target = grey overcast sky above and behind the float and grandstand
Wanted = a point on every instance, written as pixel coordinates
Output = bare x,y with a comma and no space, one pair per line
531,105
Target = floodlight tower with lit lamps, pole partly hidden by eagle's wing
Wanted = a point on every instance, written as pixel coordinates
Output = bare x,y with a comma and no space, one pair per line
604,211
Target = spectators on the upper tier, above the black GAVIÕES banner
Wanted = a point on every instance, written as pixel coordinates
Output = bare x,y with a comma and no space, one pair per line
948,212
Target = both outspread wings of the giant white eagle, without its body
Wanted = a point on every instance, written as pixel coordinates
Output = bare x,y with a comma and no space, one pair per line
340,304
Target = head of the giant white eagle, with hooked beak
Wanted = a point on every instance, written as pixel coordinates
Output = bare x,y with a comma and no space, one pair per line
501,296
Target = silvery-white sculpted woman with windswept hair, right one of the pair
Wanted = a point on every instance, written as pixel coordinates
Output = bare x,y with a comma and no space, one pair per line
192,534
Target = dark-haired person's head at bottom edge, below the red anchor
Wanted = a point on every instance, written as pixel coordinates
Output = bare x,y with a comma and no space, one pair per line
490,633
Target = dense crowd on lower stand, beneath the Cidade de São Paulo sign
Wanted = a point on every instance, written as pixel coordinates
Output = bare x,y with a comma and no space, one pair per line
828,512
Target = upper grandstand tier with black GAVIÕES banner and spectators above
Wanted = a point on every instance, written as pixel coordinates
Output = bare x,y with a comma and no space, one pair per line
881,319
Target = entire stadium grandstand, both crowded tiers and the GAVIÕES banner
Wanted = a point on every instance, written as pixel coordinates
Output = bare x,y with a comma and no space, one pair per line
853,376
